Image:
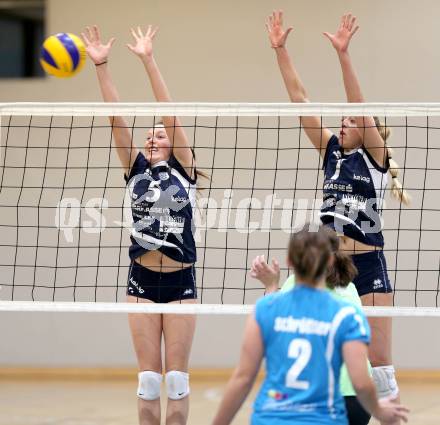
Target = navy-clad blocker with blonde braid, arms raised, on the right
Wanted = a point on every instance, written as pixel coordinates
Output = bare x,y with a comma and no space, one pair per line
355,163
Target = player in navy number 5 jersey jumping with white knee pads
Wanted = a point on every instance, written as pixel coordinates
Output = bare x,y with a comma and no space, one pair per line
161,181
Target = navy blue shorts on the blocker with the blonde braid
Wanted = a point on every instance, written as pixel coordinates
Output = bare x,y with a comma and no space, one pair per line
372,274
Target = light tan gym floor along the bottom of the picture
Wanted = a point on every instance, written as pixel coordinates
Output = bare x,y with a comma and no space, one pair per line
113,402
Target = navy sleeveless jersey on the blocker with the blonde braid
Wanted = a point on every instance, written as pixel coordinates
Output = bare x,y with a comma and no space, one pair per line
354,190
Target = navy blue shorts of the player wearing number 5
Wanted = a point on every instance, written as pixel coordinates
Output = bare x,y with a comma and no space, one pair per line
161,287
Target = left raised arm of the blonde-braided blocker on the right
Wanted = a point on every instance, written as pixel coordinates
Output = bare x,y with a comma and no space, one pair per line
278,37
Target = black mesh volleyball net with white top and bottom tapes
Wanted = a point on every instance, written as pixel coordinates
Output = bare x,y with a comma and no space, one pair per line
65,215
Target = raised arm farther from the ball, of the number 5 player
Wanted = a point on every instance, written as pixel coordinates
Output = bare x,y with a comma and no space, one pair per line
143,47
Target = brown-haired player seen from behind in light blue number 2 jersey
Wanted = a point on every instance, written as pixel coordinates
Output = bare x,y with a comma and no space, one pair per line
305,335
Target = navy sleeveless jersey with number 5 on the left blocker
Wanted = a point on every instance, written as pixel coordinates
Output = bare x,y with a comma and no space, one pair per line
163,199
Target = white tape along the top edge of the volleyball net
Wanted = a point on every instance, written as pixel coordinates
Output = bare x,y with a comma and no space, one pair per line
220,109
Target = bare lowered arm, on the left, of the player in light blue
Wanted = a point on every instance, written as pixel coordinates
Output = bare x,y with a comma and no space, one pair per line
244,375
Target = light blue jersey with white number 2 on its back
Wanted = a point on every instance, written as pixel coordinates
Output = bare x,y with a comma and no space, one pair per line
303,332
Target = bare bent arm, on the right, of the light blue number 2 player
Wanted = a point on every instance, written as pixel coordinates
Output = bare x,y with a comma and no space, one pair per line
385,410
